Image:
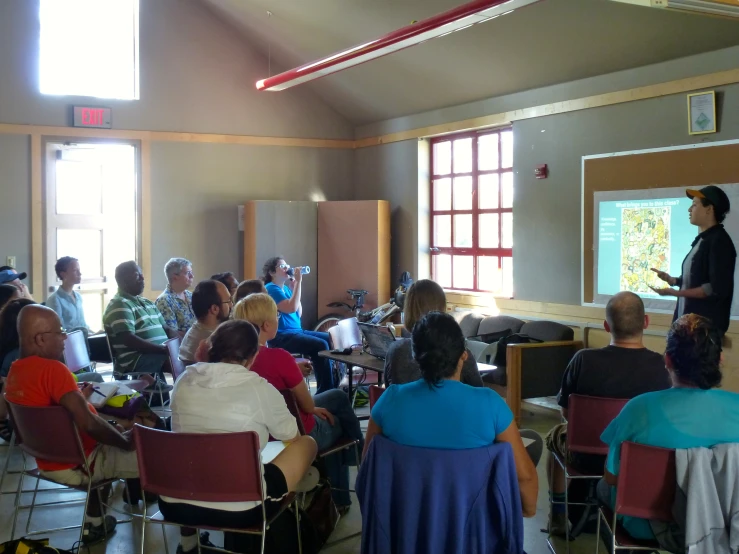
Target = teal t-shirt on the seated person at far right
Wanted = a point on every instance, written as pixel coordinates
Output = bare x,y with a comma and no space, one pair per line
672,418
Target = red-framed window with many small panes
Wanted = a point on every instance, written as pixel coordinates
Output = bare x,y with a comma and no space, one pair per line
472,211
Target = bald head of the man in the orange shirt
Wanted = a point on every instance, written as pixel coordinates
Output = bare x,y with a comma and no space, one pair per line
40,332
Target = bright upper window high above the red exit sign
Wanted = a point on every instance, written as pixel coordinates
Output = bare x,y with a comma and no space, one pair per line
89,48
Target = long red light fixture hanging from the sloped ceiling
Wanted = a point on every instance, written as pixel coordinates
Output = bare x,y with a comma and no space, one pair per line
457,19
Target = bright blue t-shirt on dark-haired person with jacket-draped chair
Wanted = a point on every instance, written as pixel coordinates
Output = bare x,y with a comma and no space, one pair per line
453,415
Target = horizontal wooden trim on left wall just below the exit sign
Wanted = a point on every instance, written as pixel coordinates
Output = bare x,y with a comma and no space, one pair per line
164,136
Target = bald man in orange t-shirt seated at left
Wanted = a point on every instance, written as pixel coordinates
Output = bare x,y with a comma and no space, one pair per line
37,378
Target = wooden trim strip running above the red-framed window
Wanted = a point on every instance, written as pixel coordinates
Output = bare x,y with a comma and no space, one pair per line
599,100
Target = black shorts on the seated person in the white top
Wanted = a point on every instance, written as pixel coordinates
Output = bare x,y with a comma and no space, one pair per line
194,516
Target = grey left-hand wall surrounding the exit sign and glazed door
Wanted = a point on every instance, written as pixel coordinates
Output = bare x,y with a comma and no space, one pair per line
197,76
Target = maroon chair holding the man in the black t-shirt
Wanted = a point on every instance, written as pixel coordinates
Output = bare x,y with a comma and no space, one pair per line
588,417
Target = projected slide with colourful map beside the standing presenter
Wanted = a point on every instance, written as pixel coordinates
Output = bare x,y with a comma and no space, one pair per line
637,235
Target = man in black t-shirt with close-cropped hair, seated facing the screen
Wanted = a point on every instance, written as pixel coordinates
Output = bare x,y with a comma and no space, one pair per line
624,369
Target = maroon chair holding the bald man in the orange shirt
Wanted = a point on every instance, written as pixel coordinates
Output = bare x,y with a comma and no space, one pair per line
49,433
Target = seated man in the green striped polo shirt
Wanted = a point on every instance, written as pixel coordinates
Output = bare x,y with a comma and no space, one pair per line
135,327
